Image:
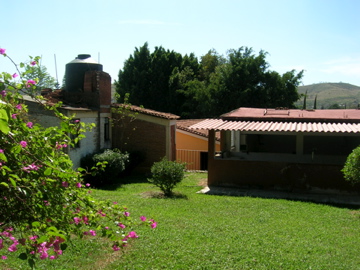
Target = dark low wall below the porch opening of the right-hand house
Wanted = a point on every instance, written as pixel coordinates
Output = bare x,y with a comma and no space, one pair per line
317,178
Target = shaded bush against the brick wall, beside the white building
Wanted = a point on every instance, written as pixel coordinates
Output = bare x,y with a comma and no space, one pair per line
116,164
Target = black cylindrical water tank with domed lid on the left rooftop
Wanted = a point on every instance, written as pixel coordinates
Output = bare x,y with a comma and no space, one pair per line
75,72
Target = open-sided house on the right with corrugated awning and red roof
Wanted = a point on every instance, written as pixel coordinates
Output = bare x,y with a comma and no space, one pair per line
282,149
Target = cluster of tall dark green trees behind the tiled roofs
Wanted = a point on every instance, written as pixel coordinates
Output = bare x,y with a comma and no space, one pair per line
183,86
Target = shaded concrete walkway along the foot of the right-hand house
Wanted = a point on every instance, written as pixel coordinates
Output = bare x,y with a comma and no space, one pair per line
343,199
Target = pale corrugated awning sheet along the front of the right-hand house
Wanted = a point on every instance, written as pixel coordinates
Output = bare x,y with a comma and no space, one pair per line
270,126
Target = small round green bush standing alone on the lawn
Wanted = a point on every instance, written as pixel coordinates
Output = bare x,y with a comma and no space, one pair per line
166,175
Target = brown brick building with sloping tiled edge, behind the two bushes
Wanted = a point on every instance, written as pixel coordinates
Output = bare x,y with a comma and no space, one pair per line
148,133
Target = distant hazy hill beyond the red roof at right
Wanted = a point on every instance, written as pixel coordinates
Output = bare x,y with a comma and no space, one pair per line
328,94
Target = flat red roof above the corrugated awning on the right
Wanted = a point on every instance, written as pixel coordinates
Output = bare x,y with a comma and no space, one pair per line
294,115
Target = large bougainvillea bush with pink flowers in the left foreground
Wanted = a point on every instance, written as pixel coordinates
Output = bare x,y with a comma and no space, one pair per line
43,201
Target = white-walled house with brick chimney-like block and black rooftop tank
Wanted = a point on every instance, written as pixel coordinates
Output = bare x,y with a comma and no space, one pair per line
87,96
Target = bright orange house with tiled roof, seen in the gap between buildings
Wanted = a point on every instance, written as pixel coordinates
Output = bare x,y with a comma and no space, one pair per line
192,145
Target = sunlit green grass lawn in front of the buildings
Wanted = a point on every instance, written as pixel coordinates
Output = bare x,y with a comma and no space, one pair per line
198,231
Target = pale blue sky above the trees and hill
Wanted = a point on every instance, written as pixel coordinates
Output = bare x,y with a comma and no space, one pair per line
321,37
